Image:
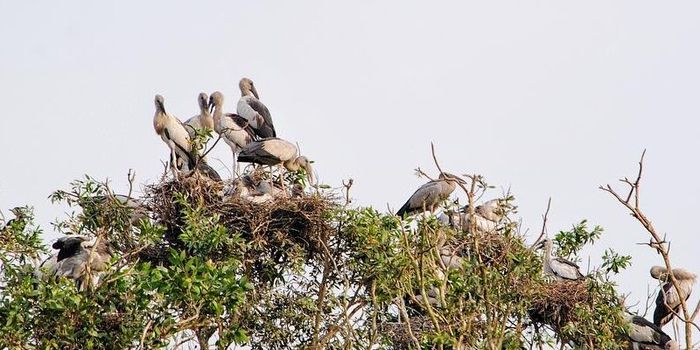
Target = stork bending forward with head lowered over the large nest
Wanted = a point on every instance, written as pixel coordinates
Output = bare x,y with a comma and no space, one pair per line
275,151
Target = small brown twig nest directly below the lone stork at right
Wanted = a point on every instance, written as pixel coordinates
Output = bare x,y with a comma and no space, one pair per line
555,303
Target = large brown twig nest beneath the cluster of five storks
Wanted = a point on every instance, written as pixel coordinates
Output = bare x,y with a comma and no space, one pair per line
272,229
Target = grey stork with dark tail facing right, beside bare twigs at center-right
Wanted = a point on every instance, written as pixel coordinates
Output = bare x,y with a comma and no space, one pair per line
430,195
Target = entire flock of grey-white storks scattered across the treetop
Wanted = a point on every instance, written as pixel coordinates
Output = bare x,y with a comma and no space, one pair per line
251,135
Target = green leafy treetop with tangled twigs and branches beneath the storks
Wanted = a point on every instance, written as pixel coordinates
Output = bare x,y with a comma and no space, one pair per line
365,279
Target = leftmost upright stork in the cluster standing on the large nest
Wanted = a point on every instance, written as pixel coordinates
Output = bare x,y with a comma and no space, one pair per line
175,136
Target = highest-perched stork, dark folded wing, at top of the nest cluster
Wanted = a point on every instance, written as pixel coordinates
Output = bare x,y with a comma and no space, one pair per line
257,114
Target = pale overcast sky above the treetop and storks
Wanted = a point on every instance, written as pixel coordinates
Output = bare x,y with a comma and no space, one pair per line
547,98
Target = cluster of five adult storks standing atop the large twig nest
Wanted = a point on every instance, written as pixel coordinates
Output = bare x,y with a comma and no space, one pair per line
249,133
